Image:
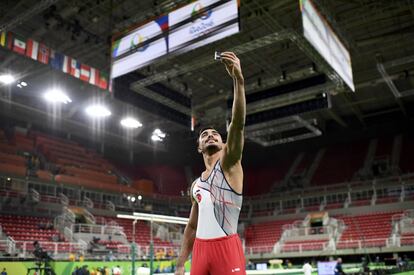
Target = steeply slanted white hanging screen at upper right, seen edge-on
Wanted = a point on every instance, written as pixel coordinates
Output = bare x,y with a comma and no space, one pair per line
324,40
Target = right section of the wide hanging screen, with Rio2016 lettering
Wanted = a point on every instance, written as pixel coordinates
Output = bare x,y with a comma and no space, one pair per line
214,24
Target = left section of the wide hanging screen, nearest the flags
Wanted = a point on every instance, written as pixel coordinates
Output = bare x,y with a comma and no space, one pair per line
127,57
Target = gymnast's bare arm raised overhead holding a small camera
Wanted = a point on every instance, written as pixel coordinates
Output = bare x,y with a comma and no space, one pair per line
235,137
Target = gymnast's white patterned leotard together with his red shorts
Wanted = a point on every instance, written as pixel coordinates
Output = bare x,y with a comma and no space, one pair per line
217,248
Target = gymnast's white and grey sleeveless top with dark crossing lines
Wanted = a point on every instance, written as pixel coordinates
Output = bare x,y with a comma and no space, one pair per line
218,205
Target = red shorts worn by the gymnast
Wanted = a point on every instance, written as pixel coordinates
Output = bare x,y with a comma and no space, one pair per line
220,256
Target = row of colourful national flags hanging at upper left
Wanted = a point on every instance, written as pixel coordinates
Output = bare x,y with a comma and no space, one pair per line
58,61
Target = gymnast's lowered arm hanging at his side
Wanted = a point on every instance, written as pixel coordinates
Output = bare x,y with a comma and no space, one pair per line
189,236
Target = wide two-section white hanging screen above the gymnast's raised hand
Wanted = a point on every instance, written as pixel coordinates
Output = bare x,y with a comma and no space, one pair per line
184,29
